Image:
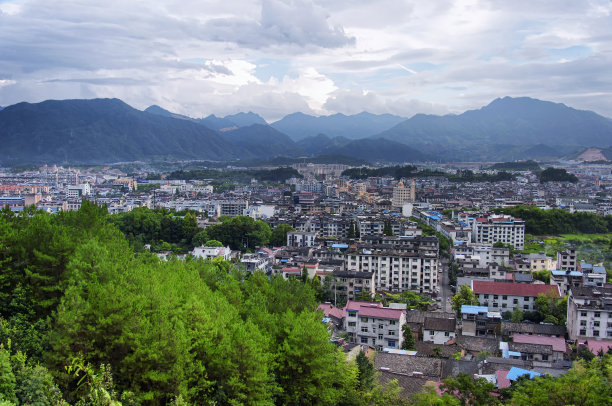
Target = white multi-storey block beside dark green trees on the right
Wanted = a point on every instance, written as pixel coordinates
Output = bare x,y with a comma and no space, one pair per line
499,228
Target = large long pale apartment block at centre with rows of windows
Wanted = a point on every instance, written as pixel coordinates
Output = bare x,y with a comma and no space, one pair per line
397,271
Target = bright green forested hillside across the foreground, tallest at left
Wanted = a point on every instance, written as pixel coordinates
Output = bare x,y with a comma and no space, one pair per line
86,320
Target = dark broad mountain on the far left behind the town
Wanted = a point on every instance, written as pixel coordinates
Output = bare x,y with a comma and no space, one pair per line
101,130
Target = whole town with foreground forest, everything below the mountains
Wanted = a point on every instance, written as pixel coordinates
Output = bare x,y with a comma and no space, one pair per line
307,284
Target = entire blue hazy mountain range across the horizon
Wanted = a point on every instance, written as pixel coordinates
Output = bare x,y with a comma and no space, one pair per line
108,130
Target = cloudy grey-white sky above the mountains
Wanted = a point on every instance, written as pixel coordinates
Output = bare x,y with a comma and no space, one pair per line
274,57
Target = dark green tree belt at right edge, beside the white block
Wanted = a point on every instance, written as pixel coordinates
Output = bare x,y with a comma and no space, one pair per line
557,221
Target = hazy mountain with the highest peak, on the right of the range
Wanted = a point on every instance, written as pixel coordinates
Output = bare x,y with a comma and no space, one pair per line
514,121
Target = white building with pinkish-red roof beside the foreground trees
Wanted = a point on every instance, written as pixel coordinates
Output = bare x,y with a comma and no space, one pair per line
374,325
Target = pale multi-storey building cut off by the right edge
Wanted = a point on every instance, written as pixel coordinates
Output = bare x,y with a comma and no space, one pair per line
589,313
